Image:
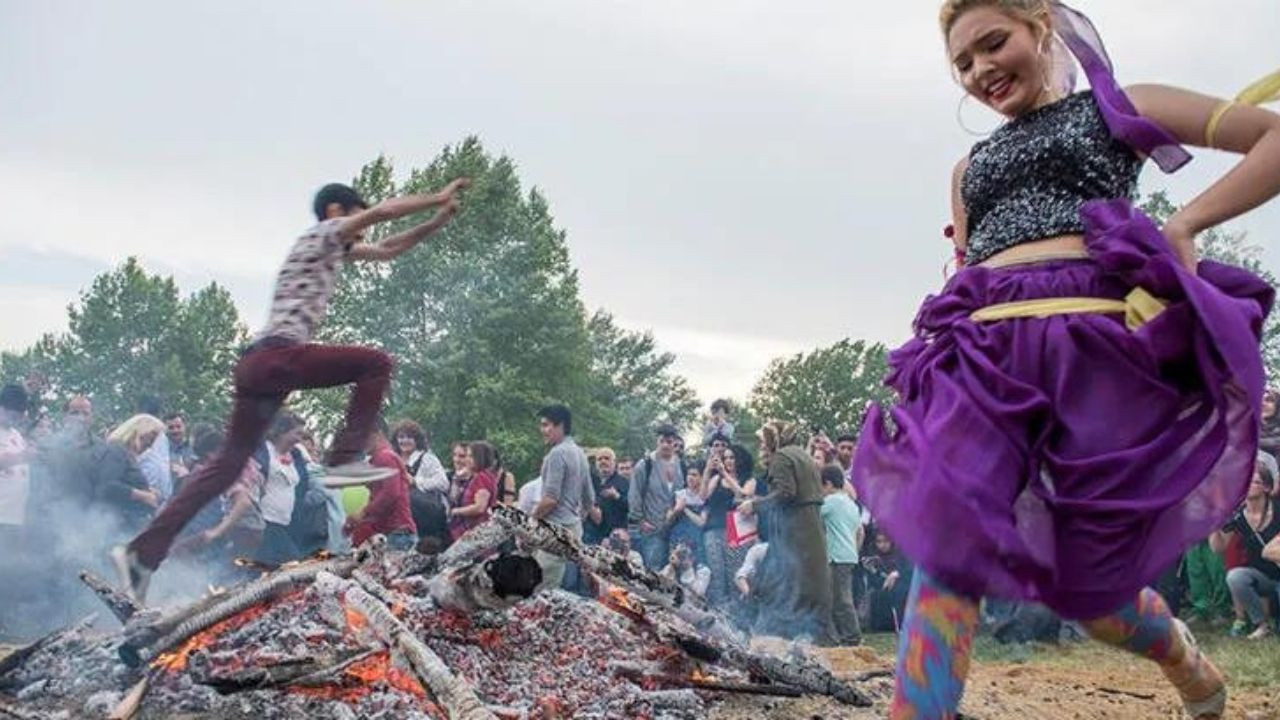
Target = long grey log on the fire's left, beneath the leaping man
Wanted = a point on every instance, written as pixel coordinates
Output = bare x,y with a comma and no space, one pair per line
254,594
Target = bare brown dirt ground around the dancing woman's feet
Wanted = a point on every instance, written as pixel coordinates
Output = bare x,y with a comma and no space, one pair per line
1080,682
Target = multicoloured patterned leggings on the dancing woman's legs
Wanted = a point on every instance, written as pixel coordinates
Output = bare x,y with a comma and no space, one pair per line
938,639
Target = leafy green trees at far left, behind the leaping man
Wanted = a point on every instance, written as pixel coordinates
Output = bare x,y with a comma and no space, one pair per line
130,336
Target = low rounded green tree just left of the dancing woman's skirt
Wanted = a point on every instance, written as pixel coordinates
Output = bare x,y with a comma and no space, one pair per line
829,388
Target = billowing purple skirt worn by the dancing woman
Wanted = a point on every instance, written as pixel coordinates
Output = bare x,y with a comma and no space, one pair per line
1069,461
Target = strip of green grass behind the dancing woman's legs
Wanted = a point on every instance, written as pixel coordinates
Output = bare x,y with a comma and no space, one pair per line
1249,664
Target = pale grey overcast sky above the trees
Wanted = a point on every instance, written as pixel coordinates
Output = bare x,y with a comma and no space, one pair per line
746,179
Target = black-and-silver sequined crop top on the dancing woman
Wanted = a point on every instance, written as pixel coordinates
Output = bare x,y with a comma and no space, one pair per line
1031,177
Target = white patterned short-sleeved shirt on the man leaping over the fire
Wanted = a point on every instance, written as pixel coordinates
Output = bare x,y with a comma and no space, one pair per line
307,282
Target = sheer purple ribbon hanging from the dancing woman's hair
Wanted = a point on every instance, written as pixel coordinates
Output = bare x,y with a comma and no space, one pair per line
1123,120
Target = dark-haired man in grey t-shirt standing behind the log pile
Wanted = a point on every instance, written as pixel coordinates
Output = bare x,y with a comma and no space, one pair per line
568,494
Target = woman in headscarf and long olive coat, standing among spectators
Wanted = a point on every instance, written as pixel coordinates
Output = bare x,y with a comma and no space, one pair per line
797,564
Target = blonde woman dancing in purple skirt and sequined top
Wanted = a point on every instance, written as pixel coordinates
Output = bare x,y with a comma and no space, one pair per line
1081,404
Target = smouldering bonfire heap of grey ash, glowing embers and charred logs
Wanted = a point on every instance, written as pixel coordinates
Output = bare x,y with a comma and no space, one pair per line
406,636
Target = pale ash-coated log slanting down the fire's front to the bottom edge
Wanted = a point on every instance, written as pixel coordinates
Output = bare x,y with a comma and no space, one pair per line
460,700
